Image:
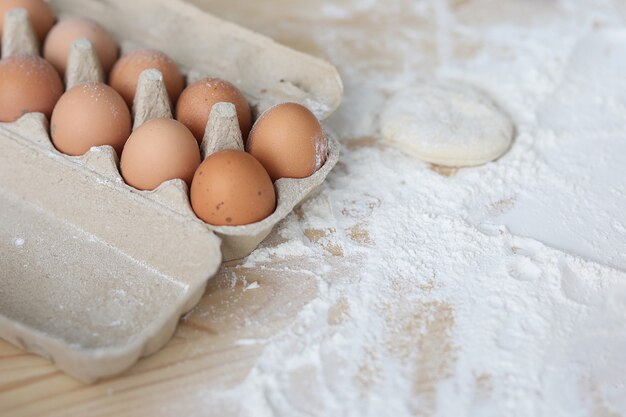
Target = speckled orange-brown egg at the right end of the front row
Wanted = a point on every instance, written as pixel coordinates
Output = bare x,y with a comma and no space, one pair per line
232,188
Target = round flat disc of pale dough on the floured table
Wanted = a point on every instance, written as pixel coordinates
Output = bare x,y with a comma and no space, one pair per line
447,124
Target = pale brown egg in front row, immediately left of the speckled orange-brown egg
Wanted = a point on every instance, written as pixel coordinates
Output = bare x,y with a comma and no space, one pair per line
158,151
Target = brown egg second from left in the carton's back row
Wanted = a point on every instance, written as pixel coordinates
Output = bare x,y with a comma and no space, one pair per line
63,34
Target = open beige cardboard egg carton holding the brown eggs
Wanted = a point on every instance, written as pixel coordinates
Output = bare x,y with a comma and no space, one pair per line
95,274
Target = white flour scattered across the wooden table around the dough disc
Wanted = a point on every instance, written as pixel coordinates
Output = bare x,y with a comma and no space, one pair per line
427,305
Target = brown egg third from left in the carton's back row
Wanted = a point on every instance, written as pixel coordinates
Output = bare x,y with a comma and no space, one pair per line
125,73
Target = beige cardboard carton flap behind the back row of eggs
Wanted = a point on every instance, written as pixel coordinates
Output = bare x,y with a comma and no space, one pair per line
268,73
